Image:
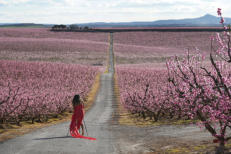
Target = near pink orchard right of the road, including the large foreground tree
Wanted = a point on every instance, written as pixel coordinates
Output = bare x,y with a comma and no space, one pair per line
189,88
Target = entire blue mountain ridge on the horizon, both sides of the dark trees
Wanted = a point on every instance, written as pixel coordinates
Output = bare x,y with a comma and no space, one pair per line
207,20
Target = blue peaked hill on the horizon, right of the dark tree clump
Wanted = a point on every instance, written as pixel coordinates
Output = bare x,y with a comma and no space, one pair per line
204,21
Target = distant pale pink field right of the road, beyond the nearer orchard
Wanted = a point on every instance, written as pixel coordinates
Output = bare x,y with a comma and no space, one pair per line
156,47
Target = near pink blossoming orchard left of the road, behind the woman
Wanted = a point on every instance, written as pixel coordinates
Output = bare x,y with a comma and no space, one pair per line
36,90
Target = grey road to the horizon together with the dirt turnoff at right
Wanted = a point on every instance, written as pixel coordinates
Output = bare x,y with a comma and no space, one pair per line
110,137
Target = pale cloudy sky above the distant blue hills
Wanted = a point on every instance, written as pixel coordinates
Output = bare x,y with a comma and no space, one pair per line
81,11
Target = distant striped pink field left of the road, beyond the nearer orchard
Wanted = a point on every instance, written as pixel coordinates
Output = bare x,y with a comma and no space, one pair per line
40,44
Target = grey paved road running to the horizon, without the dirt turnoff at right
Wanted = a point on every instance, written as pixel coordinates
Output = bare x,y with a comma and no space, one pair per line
53,140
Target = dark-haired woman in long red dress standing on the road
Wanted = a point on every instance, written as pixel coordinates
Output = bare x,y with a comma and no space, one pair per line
77,119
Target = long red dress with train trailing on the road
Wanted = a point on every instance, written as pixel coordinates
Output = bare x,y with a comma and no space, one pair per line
76,122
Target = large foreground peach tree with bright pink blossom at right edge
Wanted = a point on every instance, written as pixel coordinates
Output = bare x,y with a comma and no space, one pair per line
202,90
